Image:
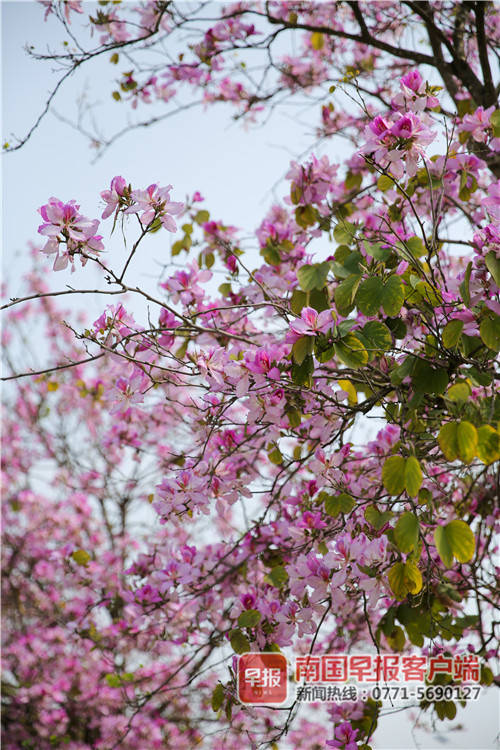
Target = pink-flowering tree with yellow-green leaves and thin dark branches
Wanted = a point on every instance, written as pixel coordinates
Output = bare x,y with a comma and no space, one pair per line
240,412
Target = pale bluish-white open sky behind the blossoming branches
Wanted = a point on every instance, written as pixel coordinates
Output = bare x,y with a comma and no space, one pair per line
203,150
